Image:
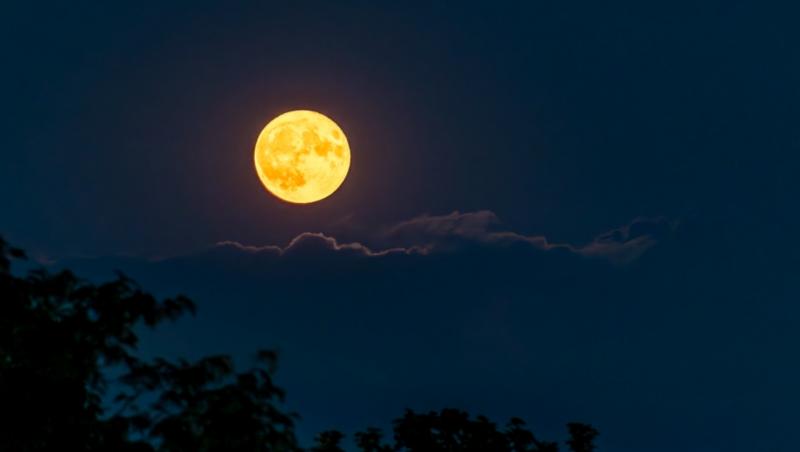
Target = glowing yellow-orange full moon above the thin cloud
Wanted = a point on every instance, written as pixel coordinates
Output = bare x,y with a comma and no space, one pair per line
302,156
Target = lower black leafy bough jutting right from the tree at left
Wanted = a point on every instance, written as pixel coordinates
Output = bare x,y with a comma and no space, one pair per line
206,406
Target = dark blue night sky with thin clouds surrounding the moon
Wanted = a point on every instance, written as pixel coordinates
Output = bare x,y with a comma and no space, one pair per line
555,210
